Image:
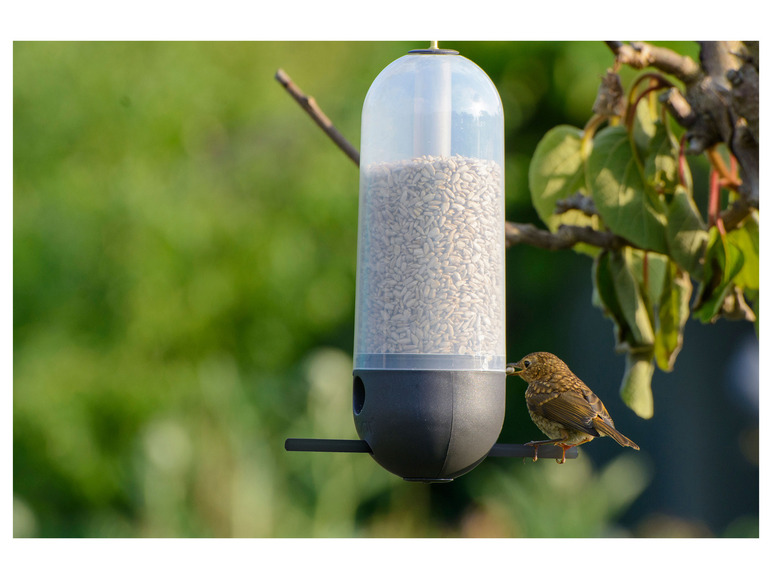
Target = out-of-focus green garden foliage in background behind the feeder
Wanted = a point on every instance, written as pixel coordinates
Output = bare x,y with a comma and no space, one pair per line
184,272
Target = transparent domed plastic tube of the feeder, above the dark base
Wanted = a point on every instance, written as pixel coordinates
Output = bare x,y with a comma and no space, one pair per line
430,265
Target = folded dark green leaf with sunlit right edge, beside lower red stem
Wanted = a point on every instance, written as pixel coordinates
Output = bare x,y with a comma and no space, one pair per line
723,262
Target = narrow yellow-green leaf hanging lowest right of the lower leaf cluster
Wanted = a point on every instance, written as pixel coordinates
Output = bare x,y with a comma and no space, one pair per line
672,315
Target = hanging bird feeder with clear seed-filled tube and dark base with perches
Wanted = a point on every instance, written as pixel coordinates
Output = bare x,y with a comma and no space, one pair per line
429,348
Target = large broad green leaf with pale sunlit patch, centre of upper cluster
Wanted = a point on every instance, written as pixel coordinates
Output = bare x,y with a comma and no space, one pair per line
626,205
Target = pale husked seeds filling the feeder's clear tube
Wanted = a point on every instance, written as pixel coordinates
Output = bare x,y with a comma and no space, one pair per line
431,278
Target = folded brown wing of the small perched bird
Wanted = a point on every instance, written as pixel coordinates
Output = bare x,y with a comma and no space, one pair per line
573,408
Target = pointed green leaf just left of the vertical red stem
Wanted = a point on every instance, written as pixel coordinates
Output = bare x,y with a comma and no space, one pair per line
686,232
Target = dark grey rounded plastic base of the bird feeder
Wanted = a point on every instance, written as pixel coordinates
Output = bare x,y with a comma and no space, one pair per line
429,425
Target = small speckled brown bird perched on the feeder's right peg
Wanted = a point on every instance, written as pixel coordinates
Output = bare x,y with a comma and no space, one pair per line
561,405
